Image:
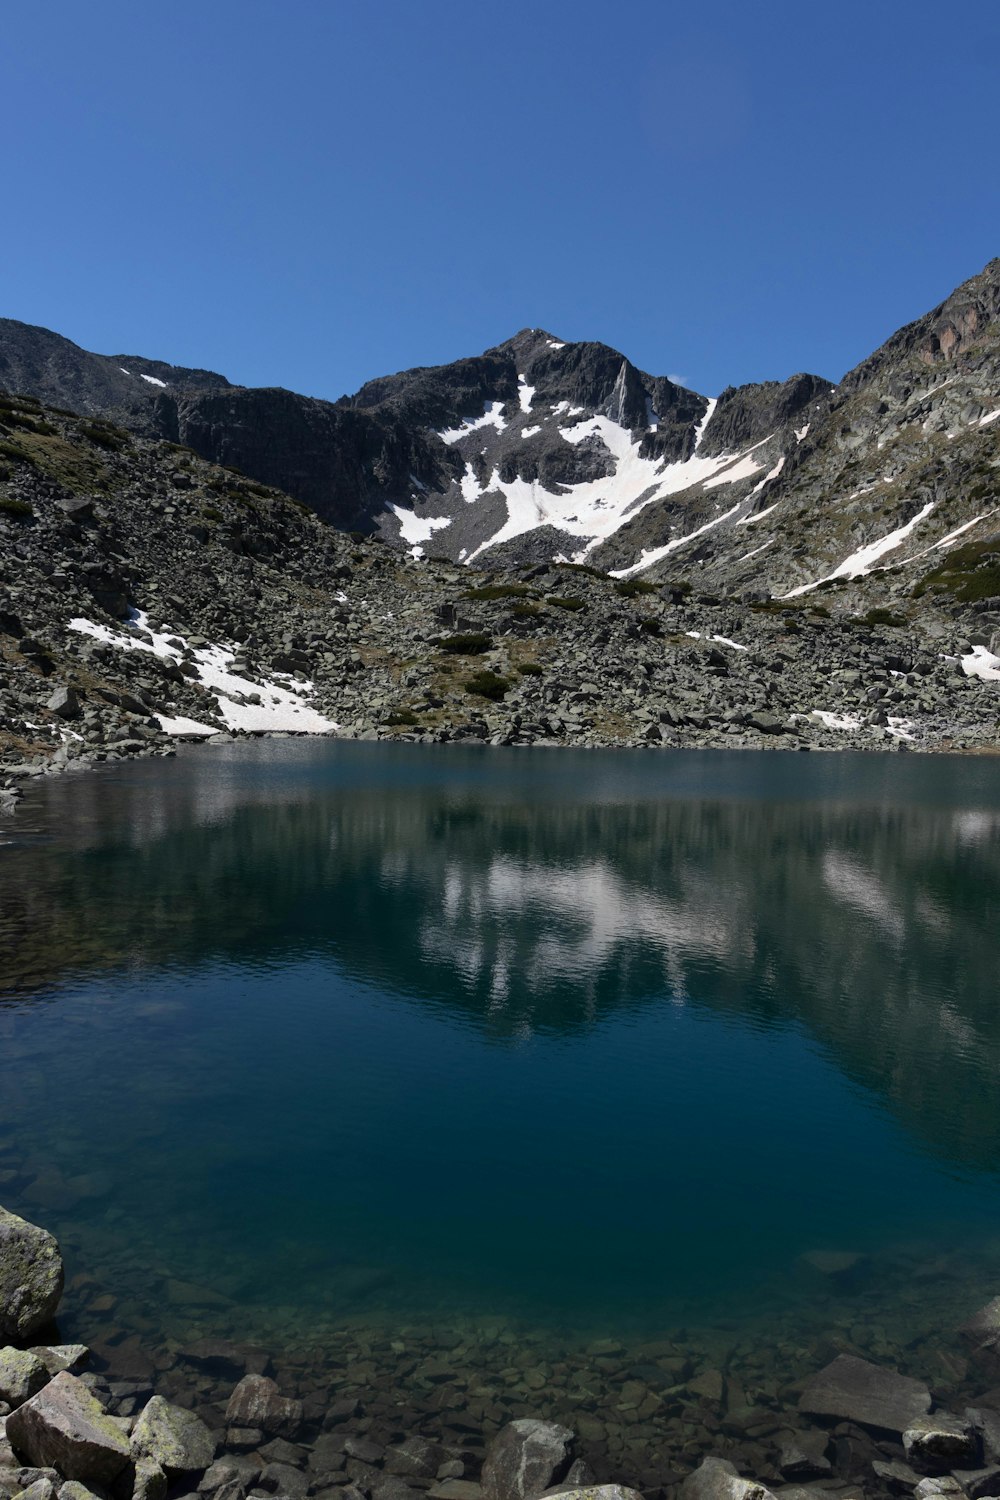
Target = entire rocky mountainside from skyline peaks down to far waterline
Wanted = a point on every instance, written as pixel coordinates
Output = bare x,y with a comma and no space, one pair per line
540,545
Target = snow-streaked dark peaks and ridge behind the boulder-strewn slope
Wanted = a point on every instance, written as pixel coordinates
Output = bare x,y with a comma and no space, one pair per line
542,449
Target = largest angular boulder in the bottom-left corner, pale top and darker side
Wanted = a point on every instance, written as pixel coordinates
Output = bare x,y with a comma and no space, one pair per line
64,1427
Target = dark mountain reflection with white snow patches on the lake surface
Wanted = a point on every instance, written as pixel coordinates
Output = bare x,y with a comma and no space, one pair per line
524,910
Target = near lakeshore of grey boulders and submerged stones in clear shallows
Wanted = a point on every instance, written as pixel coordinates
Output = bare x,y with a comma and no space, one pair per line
499,1414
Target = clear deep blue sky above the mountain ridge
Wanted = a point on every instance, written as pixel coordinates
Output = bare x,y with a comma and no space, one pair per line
313,193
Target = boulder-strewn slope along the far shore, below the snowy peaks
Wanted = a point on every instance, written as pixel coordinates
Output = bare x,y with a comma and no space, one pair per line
151,598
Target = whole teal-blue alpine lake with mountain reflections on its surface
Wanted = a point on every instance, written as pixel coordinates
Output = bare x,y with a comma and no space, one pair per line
302,1037
